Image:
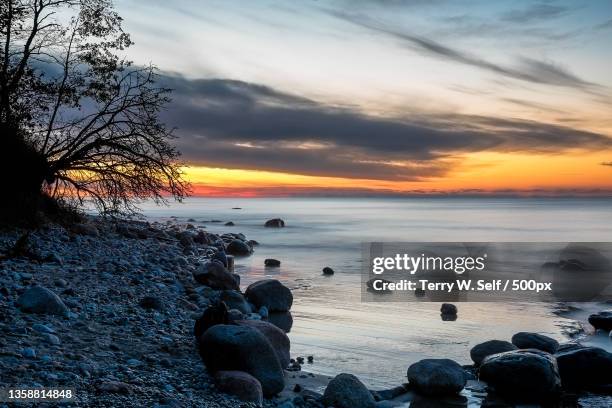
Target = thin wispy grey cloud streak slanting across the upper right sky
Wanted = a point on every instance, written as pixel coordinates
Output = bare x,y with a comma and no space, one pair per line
528,69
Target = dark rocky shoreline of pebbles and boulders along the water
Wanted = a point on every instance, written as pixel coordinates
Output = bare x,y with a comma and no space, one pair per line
150,314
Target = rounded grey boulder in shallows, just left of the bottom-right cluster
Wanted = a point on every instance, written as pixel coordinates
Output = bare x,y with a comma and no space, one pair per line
437,377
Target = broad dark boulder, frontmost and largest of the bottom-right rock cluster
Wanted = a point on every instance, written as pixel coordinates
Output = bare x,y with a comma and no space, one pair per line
522,375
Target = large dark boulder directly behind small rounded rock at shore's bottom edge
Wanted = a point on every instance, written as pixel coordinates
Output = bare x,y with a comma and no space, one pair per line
228,348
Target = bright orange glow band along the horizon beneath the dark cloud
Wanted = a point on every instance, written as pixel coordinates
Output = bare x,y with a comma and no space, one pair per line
487,172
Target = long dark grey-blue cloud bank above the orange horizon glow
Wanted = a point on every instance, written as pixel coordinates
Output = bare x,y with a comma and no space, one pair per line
235,124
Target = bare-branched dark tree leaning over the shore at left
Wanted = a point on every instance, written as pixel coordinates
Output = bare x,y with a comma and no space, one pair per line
78,120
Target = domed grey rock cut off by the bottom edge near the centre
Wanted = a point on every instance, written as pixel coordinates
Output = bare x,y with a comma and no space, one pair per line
346,391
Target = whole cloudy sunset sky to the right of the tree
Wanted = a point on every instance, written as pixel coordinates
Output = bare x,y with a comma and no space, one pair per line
384,97
